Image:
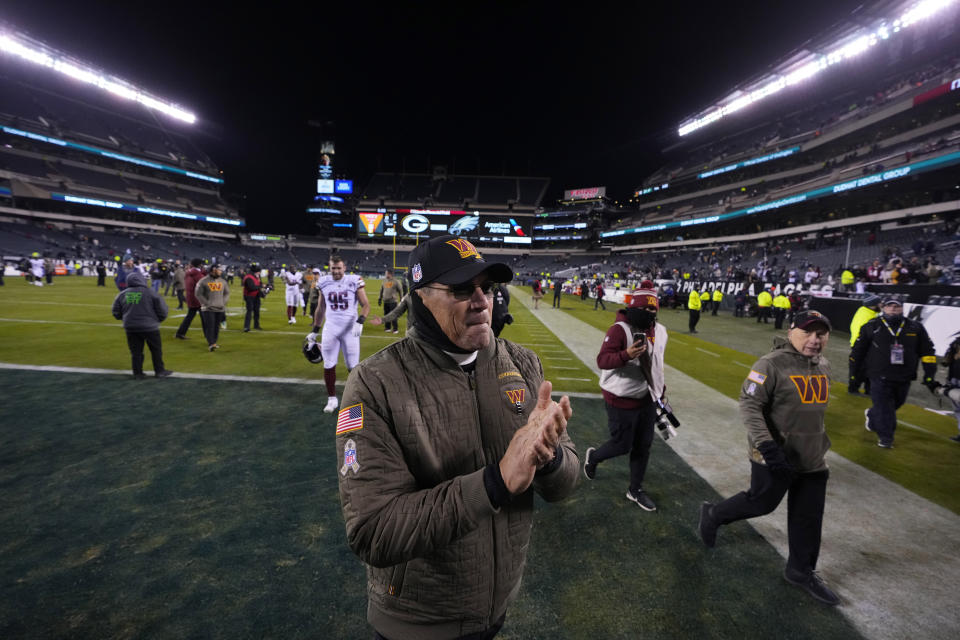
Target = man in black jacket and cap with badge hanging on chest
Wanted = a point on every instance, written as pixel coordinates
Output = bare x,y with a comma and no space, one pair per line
889,349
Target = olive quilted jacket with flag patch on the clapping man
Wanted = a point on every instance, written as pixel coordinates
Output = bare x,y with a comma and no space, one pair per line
441,561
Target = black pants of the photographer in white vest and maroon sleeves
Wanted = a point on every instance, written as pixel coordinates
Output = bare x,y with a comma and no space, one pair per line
631,431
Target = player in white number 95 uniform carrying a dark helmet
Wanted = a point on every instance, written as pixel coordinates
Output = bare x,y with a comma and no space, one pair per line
340,295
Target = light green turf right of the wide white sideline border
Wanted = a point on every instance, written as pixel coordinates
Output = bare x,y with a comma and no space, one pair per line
721,353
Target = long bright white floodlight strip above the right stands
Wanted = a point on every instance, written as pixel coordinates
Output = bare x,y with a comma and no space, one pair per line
814,63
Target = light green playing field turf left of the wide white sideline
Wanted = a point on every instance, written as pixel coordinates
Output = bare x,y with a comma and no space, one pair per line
69,324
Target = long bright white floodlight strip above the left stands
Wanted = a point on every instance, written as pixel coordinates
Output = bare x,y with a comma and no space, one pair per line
22,46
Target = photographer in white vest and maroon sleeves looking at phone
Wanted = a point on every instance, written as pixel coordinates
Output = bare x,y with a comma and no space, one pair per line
631,378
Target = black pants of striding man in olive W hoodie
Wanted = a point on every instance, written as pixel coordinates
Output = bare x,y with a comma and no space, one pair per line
806,494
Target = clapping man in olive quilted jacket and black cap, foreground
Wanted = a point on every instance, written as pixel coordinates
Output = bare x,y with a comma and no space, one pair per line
443,439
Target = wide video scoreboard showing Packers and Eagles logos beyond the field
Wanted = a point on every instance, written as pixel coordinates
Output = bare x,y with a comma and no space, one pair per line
427,223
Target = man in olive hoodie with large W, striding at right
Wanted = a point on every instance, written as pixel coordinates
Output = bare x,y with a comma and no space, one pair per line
782,403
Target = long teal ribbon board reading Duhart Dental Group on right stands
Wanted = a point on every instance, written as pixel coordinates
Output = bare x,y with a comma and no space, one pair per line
886,176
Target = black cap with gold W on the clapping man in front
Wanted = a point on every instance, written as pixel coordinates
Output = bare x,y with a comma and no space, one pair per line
451,260
